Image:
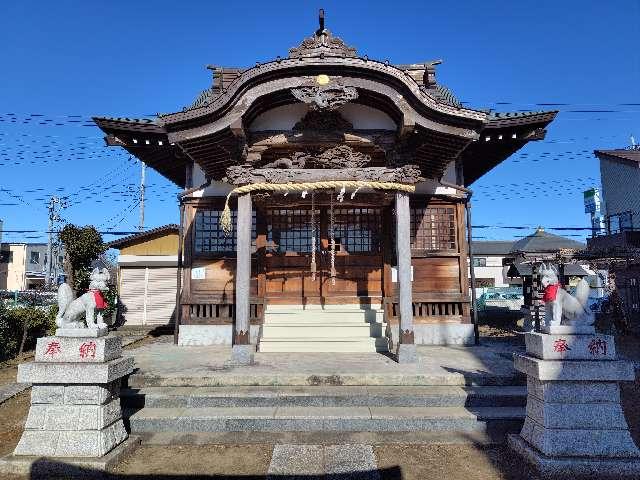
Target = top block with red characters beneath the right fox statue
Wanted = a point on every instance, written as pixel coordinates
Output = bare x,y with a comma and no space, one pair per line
570,347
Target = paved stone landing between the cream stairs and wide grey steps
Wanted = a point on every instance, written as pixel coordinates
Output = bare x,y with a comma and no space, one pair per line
161,363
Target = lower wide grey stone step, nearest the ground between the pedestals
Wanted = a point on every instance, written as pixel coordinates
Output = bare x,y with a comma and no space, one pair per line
322,419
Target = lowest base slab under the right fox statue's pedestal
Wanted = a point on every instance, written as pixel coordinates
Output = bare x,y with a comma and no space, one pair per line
552,467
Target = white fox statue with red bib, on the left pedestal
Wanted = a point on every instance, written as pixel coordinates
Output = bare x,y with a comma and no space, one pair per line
70,311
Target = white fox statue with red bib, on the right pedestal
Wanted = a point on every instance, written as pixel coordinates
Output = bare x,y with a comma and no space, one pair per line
561,308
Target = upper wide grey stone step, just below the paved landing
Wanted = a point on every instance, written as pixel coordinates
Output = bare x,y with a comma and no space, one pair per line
399,396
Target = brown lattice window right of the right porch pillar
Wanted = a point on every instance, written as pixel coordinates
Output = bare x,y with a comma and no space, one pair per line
433,228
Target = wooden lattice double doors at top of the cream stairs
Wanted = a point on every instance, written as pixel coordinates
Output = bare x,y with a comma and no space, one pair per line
358,258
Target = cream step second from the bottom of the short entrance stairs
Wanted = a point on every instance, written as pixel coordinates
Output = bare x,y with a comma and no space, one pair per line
323,330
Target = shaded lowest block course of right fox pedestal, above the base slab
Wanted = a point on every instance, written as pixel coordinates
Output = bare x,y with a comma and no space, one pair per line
572,442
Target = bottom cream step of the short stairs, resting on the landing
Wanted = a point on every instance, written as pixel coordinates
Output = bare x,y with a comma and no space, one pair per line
352,344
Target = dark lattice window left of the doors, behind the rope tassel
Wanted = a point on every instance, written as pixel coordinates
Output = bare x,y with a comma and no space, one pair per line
209,238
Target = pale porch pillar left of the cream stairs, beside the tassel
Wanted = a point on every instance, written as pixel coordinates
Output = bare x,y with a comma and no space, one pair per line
242,350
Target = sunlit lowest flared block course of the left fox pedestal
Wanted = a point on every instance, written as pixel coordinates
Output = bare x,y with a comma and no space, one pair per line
82,443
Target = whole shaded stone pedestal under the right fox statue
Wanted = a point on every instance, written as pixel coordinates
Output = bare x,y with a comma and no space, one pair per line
575,424
